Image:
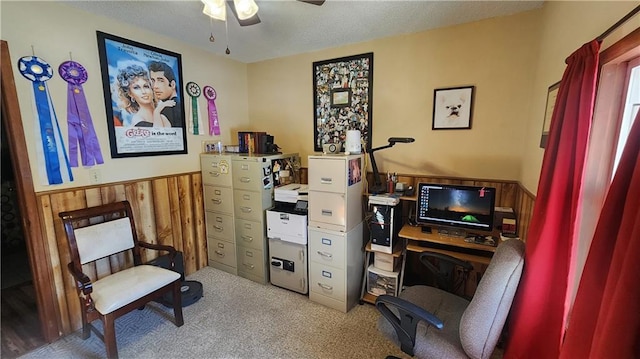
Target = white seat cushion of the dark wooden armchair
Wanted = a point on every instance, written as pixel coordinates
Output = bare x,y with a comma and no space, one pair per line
121,288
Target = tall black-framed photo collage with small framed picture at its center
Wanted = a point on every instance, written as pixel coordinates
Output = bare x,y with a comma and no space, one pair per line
343,99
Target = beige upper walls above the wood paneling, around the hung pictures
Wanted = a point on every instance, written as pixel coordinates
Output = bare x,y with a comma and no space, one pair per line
511,61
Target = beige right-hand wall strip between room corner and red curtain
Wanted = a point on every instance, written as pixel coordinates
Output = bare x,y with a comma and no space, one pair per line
566,25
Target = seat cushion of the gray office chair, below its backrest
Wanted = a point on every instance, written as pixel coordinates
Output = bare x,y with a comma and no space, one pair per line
430,341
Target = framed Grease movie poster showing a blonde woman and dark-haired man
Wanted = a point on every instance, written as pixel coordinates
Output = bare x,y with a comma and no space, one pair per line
143,98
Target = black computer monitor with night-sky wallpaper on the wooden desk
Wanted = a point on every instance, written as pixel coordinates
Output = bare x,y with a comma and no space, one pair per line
468,207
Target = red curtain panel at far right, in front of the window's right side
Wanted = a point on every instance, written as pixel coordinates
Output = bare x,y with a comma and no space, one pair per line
605,321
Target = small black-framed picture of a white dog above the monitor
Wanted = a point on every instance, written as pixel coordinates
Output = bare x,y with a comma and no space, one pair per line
452,108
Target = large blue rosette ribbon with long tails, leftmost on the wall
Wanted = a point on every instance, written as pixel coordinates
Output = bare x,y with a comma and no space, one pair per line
51,147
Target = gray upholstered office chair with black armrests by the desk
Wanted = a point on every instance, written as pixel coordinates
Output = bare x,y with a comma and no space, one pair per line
430,323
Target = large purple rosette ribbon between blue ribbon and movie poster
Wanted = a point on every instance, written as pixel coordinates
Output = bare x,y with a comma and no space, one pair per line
82,134
